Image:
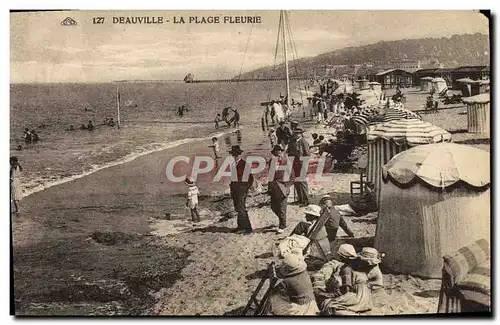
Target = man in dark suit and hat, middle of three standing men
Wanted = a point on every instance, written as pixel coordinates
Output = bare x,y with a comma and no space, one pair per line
279,189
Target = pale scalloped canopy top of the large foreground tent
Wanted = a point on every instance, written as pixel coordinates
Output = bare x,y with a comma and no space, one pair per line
441,165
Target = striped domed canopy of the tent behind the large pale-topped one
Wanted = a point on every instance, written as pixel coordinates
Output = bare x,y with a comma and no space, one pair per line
410,131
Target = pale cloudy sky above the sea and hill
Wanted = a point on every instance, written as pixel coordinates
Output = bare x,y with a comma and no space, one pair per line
42,50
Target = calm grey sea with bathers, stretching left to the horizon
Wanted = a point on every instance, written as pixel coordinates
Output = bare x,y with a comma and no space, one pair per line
149,123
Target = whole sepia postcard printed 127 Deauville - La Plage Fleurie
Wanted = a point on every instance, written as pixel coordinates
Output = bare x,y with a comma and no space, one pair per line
278,163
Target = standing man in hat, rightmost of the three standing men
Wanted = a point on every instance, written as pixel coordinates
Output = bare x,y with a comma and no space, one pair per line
298,148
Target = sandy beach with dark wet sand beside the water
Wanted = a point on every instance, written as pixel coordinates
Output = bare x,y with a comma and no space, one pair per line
118,241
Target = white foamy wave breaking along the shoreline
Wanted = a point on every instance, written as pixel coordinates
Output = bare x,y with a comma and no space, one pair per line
139,152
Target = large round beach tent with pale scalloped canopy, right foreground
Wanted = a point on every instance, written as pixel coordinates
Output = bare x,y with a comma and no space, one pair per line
435,199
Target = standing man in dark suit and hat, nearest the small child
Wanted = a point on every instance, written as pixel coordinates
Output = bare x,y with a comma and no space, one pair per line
239,191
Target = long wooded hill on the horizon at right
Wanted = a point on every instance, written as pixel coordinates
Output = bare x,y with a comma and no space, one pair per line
458,50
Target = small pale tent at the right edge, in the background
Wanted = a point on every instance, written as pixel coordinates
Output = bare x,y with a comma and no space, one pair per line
478,113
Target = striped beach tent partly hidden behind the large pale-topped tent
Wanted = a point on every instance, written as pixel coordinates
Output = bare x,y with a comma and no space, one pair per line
385,140
